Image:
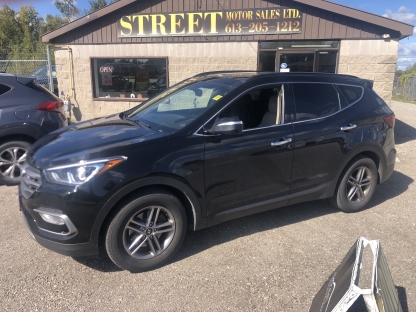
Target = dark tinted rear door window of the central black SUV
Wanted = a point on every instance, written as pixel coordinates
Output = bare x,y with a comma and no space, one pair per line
314,100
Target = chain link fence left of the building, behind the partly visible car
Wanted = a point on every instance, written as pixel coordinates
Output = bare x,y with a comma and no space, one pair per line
23,63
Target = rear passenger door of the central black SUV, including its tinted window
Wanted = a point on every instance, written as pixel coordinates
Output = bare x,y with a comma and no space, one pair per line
326,131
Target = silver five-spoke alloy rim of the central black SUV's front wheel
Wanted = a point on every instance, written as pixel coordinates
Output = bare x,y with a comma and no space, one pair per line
149,232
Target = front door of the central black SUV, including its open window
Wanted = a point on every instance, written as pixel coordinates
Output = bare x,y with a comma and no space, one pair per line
241,171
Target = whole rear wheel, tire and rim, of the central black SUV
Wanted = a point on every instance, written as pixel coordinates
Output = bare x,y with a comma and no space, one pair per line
357,185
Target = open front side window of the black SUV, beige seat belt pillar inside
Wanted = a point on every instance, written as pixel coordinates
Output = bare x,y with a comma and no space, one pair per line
259,108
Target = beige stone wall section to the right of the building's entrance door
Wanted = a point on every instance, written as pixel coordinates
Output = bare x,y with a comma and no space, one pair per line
371,59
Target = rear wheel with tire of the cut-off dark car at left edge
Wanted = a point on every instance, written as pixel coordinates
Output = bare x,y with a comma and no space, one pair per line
12,156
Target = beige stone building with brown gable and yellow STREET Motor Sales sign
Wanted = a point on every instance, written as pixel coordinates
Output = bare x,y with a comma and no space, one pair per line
116,57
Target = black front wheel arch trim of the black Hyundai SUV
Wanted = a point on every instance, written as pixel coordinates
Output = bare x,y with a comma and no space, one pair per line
183,192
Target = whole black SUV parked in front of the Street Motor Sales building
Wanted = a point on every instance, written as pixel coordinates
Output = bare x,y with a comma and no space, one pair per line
215,147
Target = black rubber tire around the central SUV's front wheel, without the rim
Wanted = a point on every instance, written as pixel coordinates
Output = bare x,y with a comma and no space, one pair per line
114,239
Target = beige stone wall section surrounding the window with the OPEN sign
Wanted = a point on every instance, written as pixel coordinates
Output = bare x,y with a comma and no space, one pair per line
184,60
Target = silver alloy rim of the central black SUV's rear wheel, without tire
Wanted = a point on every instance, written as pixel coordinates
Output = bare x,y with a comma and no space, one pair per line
358,185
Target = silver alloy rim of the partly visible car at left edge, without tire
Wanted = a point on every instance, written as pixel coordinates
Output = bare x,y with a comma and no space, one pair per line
11,161
